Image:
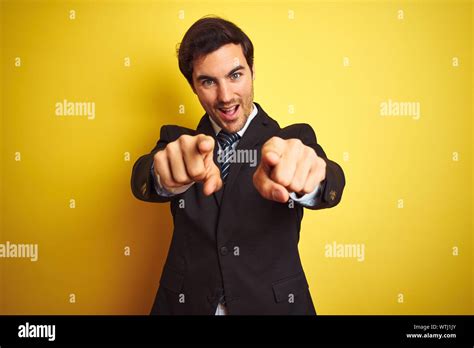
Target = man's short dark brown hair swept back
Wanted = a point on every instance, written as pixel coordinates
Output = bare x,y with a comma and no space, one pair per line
207,35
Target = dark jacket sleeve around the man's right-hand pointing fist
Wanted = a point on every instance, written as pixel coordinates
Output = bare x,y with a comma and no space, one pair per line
333,186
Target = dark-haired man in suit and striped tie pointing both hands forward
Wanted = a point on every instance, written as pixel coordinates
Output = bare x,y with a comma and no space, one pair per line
236,225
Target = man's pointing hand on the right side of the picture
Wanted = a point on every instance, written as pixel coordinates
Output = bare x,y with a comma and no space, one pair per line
288,166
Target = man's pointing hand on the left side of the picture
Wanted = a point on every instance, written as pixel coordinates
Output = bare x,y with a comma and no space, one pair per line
188,159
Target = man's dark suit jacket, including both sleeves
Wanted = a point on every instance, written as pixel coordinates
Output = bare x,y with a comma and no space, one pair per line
235,242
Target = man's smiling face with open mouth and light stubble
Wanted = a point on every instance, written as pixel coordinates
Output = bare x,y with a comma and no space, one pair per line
223,82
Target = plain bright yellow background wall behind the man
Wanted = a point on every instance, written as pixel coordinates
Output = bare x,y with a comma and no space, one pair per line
298,62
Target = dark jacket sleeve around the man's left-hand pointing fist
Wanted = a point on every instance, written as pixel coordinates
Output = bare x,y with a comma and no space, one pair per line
142,180
